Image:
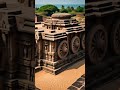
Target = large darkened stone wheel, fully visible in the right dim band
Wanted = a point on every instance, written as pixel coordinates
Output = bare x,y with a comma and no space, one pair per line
97,44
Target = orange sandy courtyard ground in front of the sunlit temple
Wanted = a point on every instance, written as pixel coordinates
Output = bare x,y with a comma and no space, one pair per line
47,81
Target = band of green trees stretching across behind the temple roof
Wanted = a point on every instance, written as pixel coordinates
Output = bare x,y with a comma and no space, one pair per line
49,9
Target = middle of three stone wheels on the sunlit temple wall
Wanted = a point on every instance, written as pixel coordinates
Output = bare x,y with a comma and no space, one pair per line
75,44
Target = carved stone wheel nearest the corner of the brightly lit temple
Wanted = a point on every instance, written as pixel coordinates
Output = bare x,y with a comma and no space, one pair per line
63,49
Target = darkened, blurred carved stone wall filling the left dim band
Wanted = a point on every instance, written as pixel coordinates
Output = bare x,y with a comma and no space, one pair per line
17,45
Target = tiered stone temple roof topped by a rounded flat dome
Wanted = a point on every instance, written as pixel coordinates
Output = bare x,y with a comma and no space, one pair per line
58,26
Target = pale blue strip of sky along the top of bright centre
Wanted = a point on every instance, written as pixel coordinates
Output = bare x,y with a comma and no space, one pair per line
60,1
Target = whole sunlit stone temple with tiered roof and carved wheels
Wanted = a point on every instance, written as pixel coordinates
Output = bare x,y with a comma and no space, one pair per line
59,42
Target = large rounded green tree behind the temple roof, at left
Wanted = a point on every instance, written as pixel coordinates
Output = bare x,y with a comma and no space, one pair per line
48,9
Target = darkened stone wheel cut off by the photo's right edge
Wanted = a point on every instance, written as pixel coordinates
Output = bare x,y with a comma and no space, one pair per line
115,38
